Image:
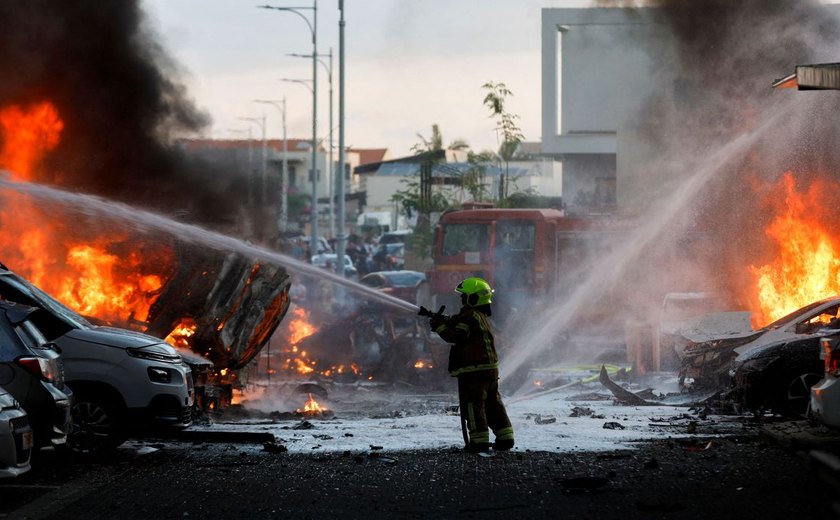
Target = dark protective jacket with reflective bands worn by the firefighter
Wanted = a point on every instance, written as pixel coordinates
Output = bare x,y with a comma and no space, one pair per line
473,348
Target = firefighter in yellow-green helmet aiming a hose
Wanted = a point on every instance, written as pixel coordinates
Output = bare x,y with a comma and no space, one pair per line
474,361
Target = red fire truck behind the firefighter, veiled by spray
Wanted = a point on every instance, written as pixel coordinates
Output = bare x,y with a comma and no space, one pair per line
528,255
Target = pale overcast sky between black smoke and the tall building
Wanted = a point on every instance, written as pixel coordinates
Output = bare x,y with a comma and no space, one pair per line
409,64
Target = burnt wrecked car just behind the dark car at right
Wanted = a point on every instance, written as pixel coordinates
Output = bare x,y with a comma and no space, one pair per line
707,361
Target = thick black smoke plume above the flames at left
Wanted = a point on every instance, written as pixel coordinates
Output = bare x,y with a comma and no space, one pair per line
101,66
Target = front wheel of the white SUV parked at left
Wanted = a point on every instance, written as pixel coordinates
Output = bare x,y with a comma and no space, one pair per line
96,425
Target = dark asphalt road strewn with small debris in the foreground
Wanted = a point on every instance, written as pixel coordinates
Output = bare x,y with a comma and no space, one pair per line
741,478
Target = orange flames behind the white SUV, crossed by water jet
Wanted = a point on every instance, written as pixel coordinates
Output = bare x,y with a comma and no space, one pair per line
106,276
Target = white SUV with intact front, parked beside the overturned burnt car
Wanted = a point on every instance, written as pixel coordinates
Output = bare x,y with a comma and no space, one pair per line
122,380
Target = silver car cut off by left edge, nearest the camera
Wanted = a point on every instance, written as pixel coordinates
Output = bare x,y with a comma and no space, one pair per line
16,439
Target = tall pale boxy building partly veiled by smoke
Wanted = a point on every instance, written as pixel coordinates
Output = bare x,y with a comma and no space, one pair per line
596,73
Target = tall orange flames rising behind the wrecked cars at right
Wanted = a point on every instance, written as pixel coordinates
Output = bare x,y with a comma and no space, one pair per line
807,266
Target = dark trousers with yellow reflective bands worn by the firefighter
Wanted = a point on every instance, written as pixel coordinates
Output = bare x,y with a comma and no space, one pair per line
482,408
